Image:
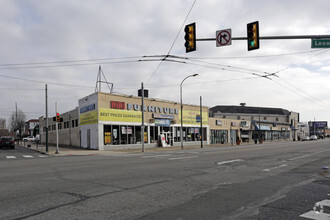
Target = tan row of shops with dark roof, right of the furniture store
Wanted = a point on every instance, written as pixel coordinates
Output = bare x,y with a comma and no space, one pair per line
248,124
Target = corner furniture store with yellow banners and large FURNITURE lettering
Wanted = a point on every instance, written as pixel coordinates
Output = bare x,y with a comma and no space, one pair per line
112,121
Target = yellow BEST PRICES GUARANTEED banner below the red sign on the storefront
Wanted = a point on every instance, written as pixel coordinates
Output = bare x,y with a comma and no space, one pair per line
119,115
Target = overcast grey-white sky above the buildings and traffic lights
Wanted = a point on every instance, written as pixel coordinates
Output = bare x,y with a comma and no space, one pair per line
62,43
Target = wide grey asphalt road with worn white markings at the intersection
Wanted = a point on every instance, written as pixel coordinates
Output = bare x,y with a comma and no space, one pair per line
267,181
